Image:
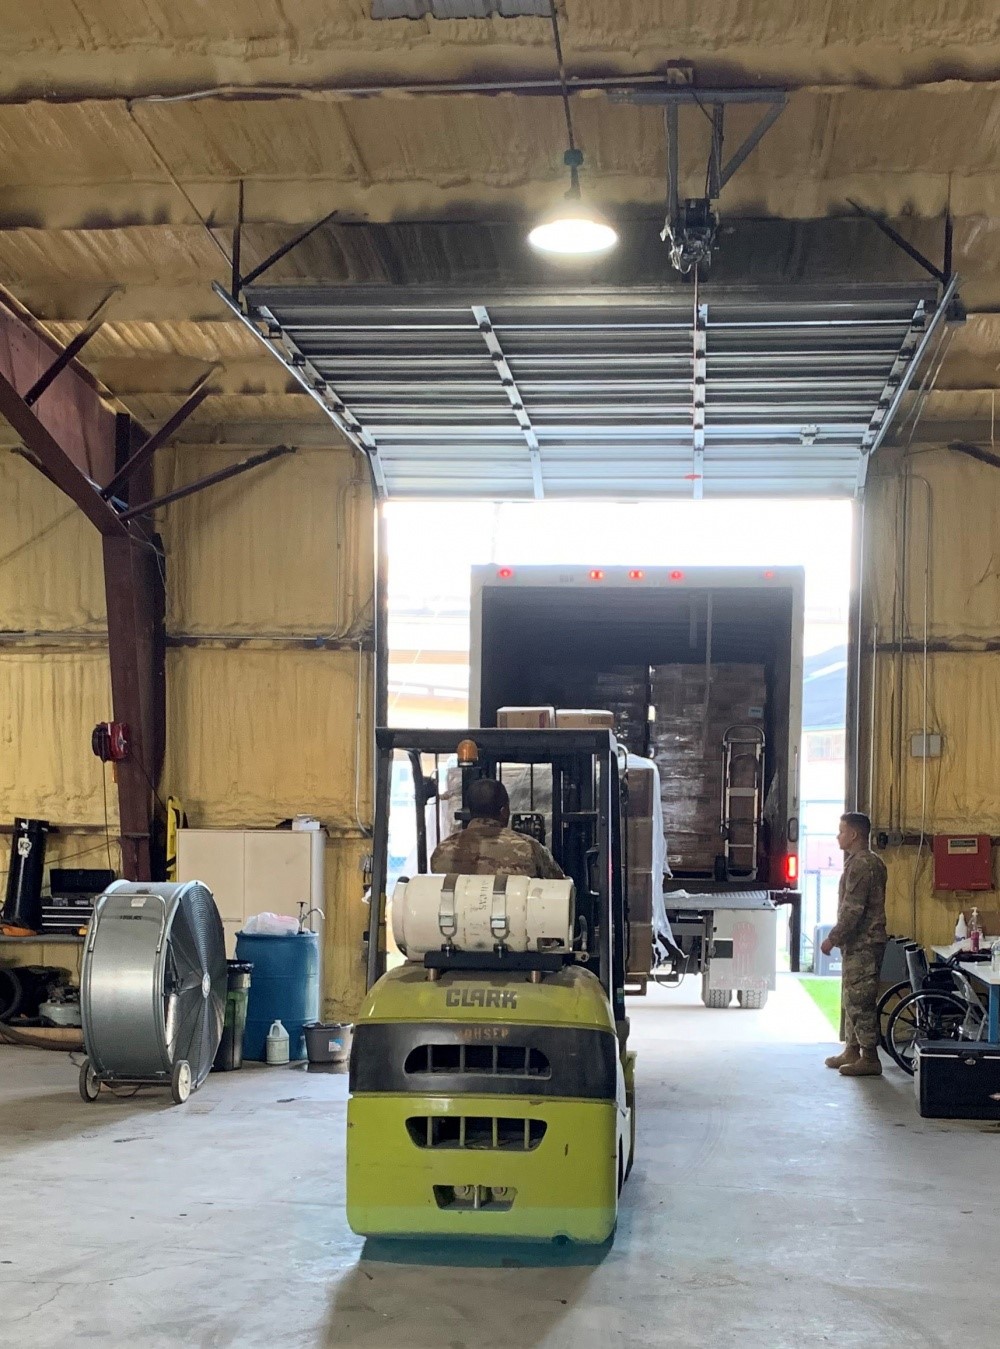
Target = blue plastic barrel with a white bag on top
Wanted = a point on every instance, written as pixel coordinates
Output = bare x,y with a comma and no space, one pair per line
285,988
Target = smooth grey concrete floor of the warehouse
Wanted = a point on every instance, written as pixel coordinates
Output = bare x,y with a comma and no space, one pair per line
773,1204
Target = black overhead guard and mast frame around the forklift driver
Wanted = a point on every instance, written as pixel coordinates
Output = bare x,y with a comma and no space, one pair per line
586,828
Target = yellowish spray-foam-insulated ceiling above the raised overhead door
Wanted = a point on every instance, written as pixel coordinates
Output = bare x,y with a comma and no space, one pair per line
128,130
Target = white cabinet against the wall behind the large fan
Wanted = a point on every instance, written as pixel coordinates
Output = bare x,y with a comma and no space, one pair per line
256,872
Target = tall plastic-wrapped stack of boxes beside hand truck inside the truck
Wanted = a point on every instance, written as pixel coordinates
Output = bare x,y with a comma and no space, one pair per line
694,708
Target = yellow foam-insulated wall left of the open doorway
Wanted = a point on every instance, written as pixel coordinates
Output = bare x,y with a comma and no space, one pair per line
271,668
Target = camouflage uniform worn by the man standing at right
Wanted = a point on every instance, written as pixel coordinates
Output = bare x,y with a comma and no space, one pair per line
860,934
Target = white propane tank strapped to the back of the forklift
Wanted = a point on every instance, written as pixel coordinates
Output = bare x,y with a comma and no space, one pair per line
478,913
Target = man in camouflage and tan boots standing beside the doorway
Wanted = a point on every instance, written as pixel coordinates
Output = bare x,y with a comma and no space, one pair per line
860,934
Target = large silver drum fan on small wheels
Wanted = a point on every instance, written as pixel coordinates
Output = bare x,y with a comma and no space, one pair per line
153,988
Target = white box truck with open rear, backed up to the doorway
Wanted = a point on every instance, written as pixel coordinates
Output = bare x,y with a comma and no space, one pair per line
701,672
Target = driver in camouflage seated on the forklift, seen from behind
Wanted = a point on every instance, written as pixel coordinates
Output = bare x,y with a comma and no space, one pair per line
487,846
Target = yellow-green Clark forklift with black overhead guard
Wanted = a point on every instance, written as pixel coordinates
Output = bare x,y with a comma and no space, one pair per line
492,1087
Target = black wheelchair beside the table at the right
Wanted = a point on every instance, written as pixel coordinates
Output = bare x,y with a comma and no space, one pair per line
935,1003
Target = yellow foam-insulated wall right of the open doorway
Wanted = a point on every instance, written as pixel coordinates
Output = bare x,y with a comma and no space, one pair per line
930,660
